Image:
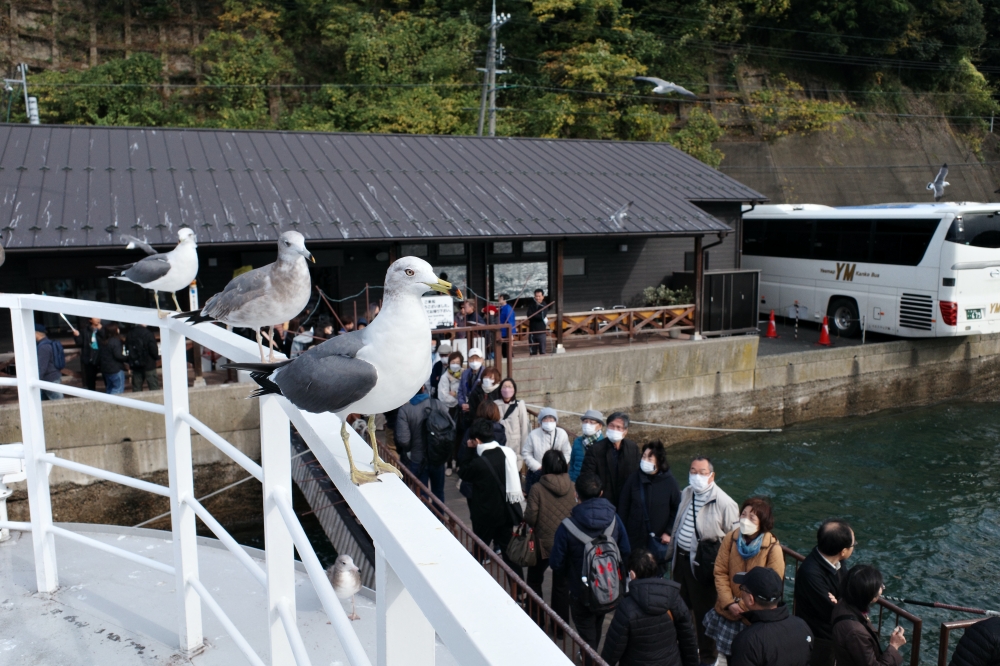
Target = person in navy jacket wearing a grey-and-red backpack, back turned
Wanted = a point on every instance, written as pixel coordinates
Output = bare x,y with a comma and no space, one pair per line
588,549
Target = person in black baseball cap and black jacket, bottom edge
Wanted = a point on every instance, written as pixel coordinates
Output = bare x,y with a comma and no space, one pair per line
775,637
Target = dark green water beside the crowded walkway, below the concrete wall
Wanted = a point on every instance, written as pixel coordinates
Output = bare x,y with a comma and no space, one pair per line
921,489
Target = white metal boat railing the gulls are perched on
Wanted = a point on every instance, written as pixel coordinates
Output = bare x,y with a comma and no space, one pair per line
427,583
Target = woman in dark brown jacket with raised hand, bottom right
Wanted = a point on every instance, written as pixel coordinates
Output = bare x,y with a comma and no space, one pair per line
855,640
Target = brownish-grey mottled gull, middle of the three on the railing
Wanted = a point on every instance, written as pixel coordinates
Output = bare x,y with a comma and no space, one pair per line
273,293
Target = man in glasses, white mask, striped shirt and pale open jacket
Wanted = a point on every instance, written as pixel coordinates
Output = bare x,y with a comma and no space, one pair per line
706,514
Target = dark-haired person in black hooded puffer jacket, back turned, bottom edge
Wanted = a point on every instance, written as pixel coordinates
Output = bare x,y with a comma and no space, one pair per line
652,625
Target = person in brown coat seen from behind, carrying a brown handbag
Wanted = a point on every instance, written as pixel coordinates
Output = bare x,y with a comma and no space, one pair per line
550,501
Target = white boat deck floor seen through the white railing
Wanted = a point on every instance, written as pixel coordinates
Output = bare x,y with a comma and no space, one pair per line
100,595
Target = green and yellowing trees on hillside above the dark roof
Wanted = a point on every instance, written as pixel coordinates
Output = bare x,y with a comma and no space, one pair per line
410,66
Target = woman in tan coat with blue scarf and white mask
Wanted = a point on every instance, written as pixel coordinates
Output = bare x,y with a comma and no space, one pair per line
749,545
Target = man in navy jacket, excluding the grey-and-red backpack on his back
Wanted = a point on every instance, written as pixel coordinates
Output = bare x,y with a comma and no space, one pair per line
592,515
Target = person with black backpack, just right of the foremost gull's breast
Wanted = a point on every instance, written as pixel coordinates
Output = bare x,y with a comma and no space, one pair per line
424,436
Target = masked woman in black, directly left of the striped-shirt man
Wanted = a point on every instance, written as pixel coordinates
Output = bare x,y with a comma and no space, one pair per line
649,502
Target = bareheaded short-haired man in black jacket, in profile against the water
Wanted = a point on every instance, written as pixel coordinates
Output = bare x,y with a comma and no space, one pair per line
818,582
